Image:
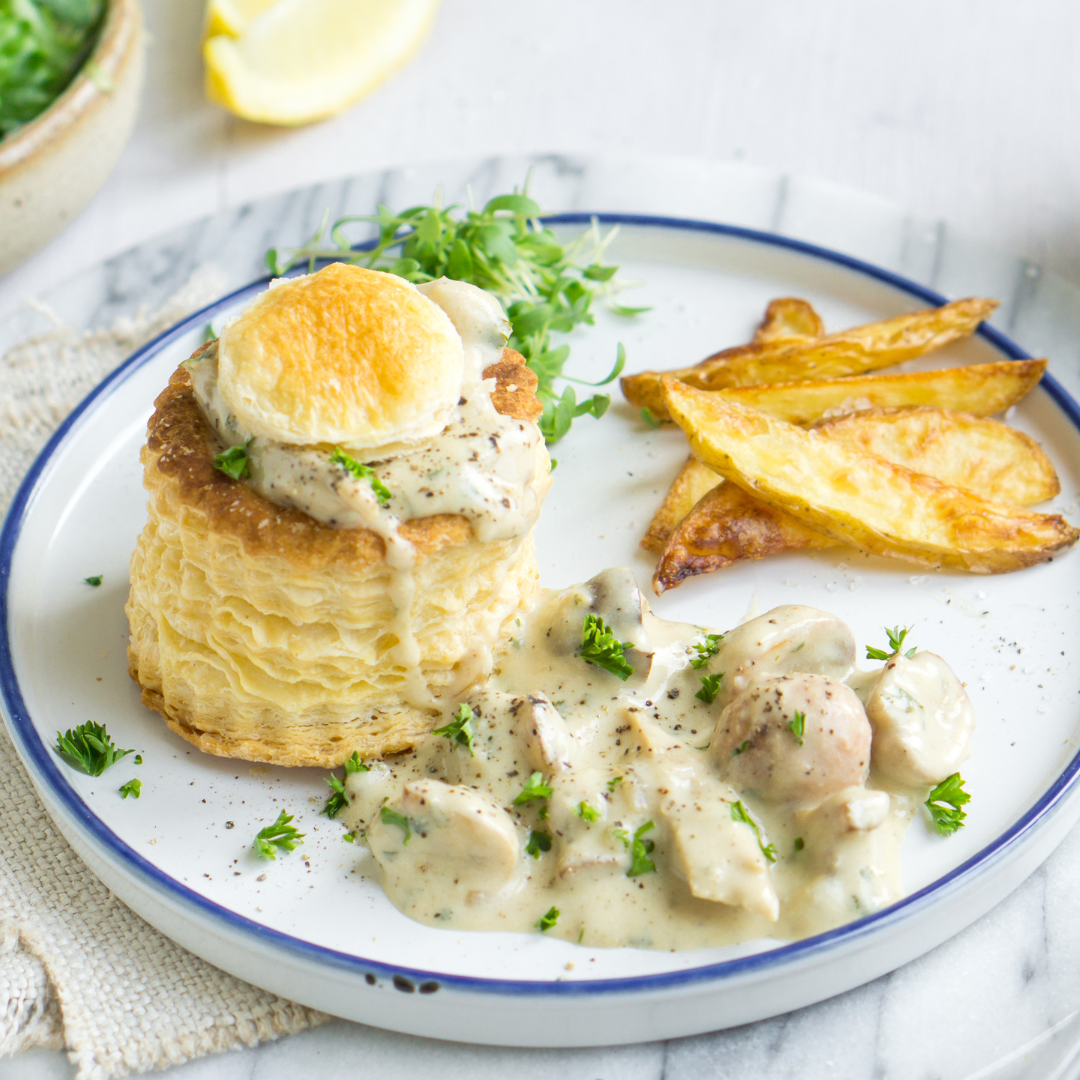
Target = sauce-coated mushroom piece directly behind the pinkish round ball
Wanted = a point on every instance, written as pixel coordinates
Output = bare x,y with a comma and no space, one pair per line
789,639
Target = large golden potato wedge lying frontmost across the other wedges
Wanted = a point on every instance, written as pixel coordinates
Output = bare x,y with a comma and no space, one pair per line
858,498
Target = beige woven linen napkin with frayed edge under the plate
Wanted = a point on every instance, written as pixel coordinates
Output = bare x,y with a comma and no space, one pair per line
78,970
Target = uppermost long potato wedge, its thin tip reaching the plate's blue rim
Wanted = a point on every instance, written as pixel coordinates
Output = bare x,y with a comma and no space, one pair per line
852,353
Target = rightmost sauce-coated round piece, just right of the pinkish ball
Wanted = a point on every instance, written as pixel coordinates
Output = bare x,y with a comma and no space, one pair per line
922,719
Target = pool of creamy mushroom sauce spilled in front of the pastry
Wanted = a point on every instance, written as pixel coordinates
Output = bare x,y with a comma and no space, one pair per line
619,755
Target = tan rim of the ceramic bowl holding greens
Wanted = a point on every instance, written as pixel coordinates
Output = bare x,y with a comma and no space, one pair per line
116,46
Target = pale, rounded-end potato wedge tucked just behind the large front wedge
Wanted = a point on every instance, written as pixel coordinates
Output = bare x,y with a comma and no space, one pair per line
985,456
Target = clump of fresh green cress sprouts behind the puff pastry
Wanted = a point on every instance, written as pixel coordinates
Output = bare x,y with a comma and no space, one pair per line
545,287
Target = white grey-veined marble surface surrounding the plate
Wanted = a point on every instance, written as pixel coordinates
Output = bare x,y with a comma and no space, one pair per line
961,112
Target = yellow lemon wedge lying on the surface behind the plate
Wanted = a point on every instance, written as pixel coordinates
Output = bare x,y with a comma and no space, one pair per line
291,62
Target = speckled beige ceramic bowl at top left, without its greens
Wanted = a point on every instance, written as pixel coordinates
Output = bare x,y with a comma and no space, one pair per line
55,166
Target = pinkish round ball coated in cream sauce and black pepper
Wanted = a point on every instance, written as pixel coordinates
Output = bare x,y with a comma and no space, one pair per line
793,738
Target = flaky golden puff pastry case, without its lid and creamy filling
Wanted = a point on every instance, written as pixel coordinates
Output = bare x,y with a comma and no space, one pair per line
256,632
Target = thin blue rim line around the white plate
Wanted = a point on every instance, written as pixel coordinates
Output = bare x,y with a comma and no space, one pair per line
34,750
